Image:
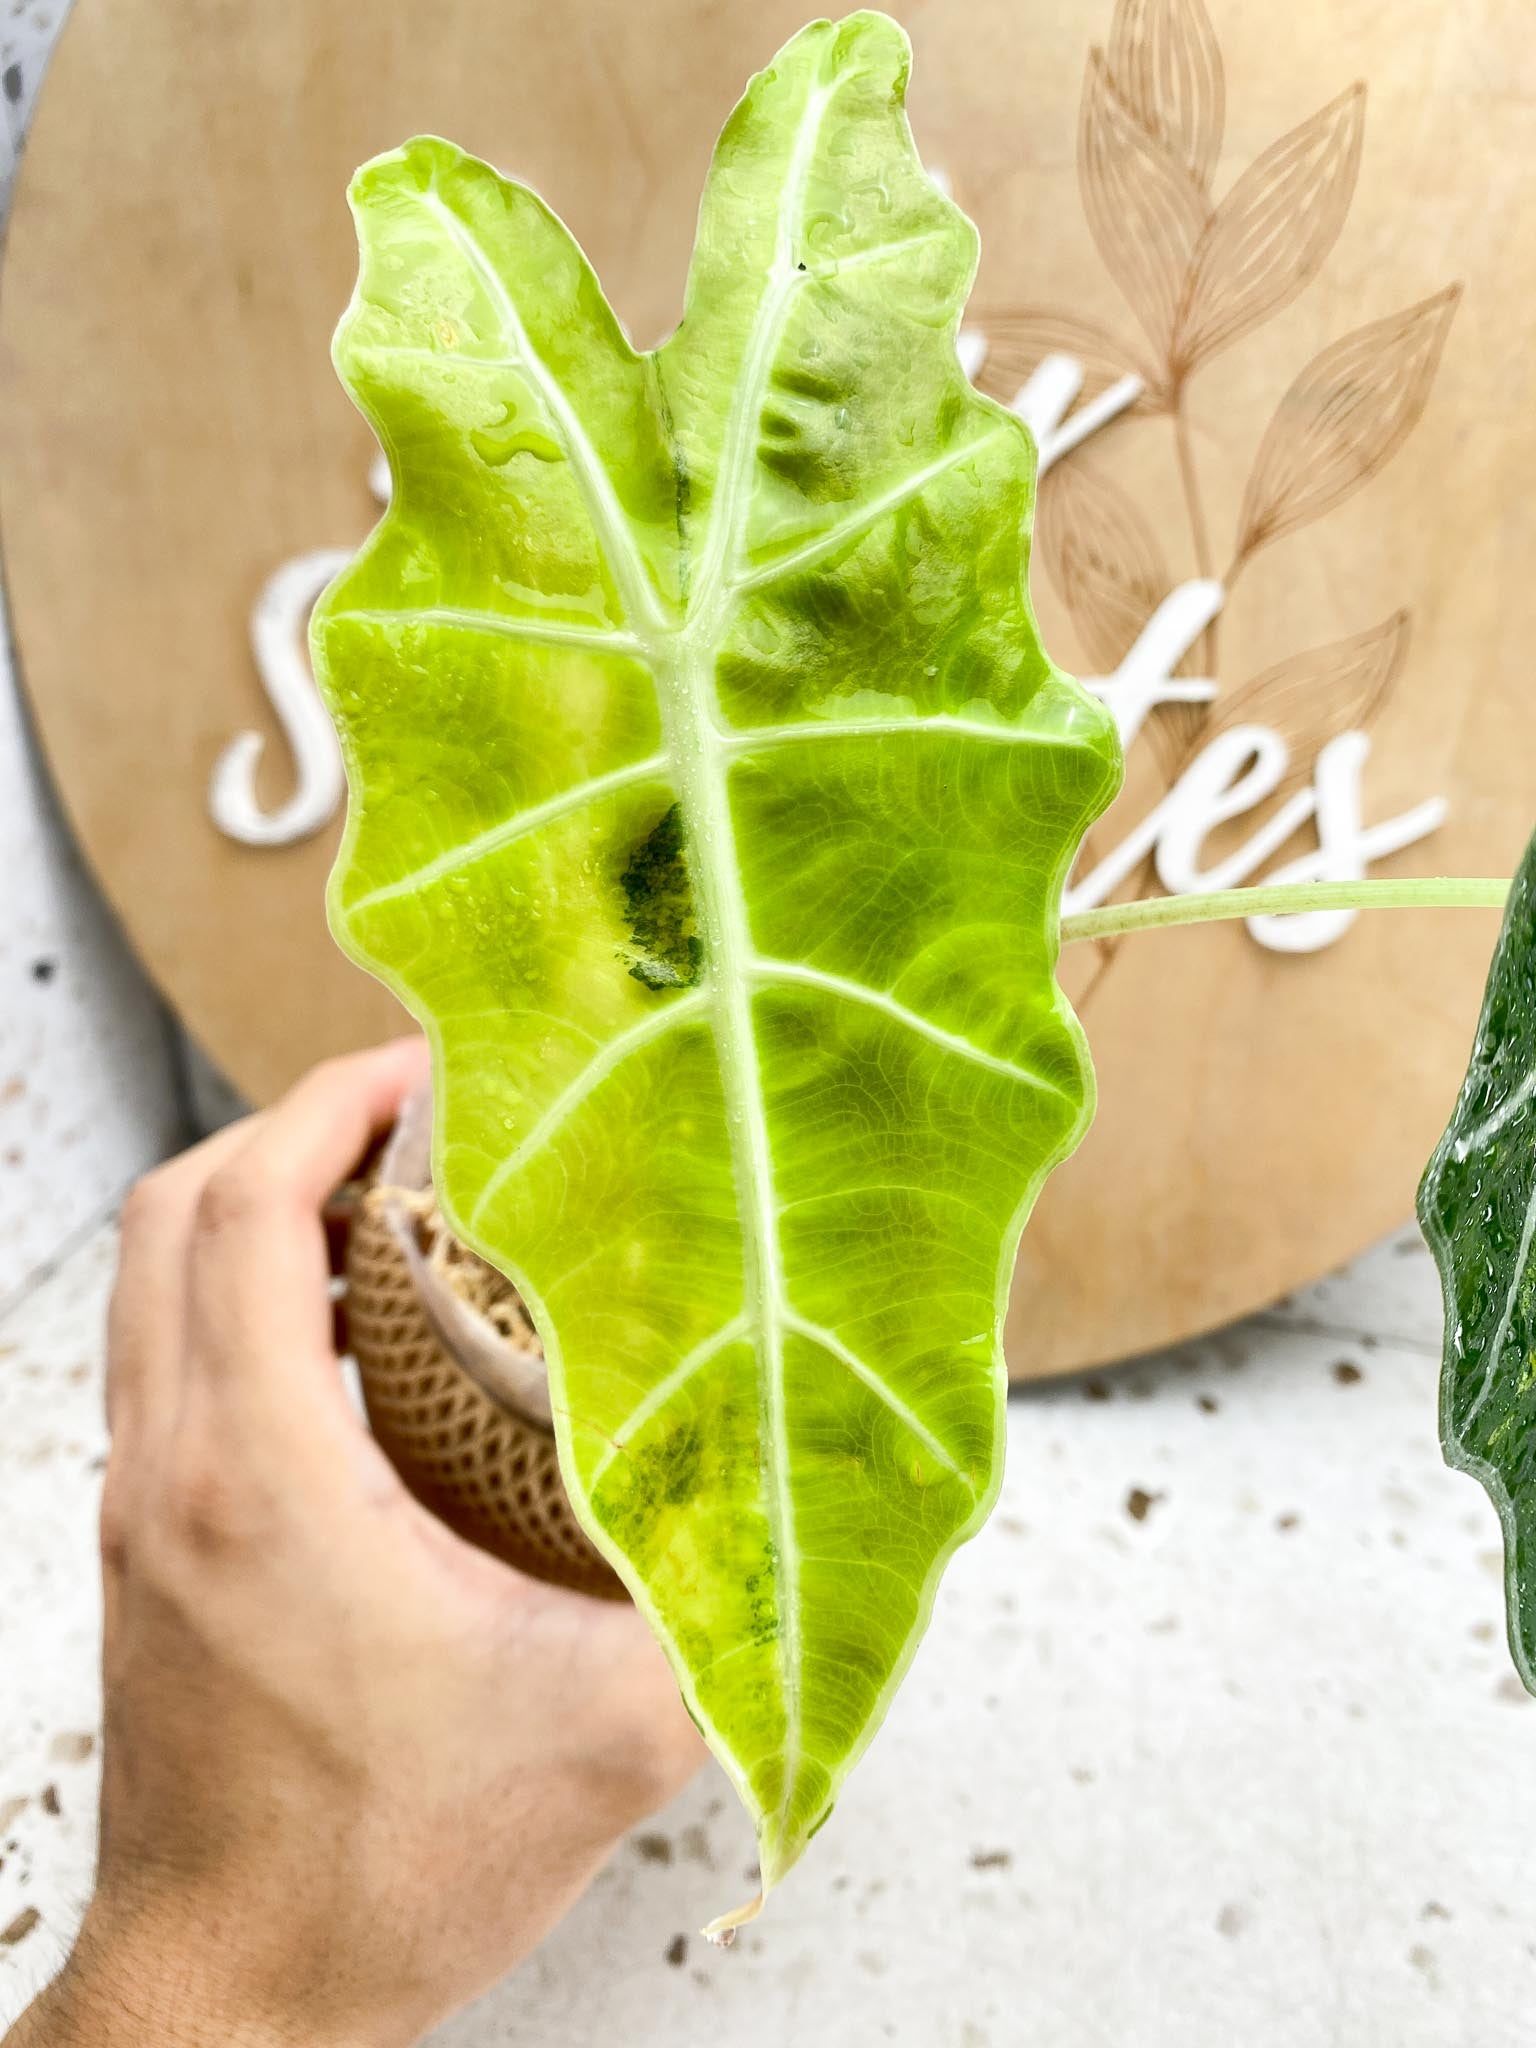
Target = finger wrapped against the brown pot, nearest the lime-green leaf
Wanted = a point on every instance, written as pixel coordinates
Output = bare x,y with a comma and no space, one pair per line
259,1289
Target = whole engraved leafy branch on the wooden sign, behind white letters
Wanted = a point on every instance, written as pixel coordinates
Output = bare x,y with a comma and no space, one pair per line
1203,269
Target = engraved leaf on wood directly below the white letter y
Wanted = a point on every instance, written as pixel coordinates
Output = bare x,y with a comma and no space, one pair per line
1103,560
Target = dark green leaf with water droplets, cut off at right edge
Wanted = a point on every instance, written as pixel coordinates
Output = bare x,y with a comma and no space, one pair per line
1478,1207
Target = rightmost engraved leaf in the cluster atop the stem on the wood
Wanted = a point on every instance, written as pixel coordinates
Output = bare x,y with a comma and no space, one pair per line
1273,232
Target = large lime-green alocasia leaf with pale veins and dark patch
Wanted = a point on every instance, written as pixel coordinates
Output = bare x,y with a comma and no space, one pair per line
712,804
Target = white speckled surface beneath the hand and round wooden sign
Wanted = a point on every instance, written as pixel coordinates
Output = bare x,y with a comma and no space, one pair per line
1213,1740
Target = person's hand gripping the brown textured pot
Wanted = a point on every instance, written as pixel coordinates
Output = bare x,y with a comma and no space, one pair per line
353,1768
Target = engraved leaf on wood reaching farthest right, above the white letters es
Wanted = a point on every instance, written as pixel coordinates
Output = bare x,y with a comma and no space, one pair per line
1342,421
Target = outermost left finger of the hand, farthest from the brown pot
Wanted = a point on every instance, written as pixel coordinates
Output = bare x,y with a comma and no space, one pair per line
148,1310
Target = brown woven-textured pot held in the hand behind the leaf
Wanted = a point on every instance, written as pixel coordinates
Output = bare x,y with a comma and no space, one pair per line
454,1375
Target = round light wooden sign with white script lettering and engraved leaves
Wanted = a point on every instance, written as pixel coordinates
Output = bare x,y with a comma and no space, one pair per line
1267,308
